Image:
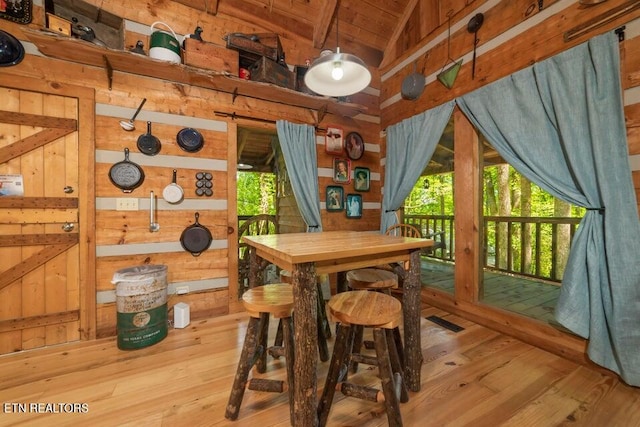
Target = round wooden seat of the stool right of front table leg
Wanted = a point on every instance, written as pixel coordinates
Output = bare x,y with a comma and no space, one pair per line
366,308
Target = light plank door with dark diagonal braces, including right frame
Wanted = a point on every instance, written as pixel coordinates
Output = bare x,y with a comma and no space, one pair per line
47,285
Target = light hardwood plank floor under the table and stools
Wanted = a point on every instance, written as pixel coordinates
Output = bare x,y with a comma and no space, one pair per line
473,377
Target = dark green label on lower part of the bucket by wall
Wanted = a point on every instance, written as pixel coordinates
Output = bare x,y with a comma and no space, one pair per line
142,329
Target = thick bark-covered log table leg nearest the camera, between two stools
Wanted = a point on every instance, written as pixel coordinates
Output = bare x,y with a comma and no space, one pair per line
305,335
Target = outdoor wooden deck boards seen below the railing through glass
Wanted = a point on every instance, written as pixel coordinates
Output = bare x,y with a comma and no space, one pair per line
529,297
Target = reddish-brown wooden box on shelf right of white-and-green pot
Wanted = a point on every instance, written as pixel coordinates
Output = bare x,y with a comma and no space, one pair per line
210,56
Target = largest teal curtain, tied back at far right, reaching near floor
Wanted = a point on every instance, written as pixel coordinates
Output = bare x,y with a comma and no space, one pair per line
561,124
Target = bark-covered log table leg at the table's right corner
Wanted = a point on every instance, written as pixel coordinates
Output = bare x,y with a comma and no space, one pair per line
411,311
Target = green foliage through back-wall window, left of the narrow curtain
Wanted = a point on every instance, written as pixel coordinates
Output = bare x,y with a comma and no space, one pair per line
256,193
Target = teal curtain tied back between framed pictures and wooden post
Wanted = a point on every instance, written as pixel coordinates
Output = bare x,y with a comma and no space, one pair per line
410,145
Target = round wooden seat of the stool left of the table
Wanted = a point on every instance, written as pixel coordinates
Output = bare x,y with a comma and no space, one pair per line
275,298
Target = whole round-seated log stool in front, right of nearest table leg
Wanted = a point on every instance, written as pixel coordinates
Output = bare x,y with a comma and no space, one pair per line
383,313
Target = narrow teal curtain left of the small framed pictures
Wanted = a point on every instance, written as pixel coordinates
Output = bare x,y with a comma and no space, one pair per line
298,143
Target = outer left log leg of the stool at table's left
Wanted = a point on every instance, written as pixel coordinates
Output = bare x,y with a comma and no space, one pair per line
245,364
